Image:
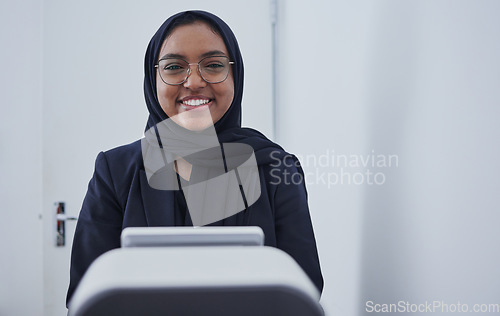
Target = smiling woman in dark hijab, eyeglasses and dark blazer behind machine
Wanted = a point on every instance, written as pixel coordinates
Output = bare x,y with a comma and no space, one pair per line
193,86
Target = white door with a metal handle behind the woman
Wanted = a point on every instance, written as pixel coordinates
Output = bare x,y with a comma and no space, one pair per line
93,100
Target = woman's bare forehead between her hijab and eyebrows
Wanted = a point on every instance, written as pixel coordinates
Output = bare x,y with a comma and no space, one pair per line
193,40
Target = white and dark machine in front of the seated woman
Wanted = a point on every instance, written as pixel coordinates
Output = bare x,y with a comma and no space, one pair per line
188,271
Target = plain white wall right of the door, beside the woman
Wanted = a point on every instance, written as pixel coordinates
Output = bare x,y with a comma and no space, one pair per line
416,79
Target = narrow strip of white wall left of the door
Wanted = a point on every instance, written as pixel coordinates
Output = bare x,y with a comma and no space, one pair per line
20,157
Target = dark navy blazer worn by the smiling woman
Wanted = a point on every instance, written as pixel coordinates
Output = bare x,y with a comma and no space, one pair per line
119,196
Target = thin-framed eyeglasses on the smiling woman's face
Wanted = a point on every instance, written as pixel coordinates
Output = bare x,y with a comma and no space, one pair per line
175,71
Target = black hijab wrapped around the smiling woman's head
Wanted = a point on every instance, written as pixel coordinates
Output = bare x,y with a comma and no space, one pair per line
228,128
